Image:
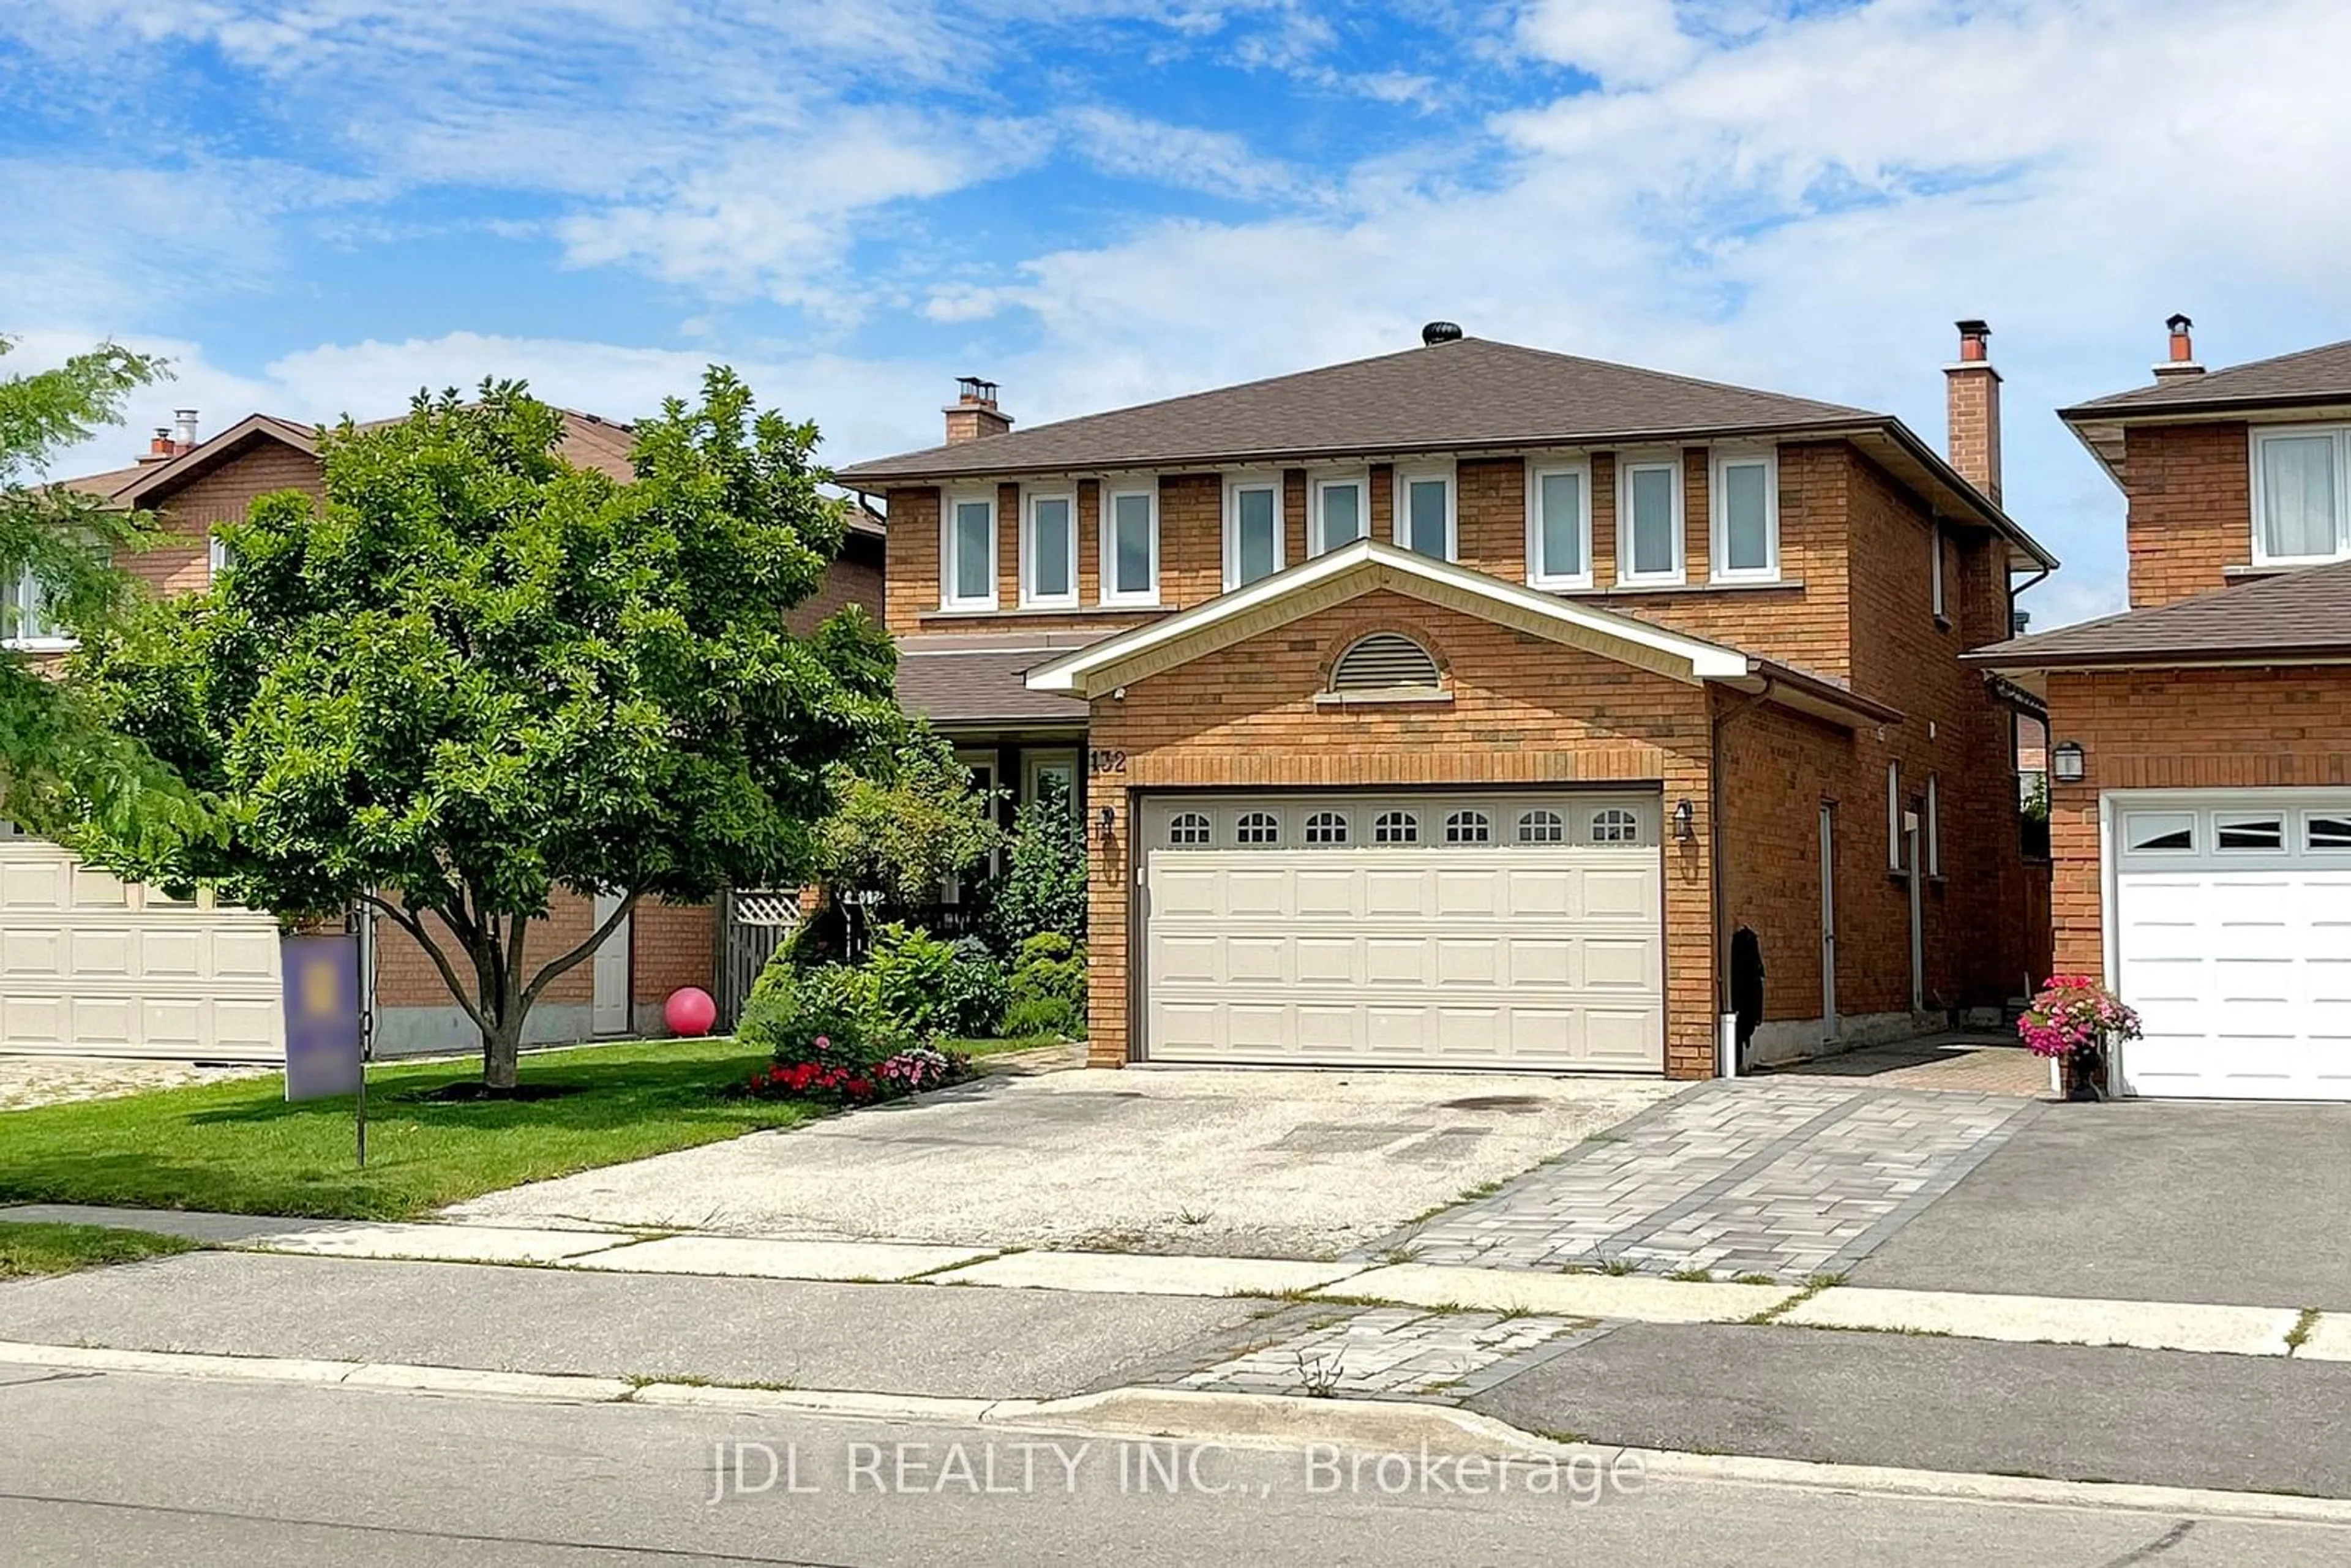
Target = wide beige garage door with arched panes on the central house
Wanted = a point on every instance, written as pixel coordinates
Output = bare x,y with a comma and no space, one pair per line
1409,932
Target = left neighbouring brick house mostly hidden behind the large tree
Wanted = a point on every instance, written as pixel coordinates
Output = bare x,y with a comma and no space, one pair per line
225,998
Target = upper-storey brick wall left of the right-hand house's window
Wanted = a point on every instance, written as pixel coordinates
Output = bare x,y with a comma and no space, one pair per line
2190,509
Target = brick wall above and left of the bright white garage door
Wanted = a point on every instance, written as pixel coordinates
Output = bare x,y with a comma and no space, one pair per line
2223,730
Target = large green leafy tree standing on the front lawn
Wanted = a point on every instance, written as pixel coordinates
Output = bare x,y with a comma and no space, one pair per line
478,676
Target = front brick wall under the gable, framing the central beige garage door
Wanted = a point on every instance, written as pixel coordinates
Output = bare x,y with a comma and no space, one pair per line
1525,711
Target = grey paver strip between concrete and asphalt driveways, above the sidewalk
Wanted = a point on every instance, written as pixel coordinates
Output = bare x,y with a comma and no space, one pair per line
1776,1177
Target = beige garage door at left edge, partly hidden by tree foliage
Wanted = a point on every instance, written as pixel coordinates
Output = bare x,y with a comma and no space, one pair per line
95,967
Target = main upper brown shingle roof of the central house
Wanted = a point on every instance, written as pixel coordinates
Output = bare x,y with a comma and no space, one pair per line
1440,398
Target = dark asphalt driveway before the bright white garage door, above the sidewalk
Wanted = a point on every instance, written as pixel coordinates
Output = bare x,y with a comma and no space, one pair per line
2145,1200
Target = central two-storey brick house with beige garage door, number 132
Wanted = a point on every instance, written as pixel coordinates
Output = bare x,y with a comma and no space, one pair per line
1487,706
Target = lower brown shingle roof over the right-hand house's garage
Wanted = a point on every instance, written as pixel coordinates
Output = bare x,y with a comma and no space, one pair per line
2300,615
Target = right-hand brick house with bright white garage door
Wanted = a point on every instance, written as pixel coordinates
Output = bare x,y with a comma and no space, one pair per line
2202,742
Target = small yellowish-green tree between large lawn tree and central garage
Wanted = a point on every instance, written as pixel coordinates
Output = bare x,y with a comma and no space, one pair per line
906,826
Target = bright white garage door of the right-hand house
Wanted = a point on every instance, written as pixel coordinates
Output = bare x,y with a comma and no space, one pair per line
2232,934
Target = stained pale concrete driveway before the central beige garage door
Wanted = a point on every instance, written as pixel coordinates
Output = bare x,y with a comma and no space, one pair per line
1257,1165
